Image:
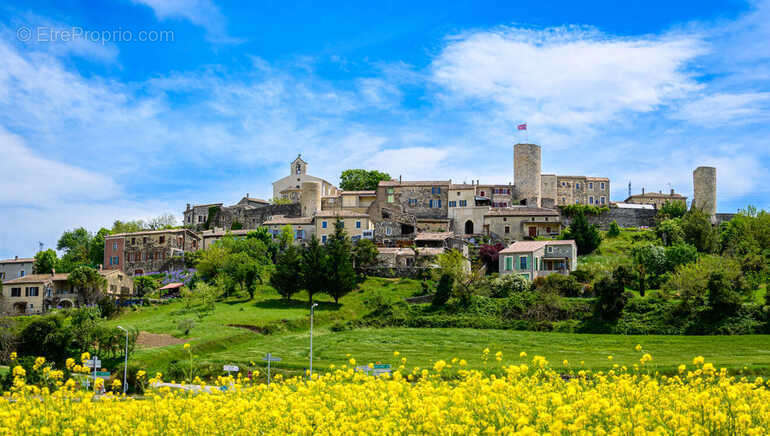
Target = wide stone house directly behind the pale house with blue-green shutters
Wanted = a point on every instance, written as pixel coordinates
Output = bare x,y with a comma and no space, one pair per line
520,222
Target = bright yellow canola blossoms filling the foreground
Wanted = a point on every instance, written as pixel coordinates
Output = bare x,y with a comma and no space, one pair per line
524,398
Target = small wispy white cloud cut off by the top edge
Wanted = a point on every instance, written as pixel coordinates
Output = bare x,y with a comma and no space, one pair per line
203,13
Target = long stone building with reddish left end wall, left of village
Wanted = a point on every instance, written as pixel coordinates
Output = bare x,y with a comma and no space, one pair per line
149,251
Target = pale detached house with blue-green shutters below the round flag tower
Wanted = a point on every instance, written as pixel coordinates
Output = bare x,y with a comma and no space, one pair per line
534,259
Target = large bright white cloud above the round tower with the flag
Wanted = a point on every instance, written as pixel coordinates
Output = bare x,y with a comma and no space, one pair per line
567,77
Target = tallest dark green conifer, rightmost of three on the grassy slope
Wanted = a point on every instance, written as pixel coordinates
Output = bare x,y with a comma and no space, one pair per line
341,277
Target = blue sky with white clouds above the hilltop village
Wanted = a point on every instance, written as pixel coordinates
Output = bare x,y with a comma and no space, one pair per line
94,129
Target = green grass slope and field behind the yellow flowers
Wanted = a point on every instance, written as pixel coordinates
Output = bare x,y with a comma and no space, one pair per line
213,341
